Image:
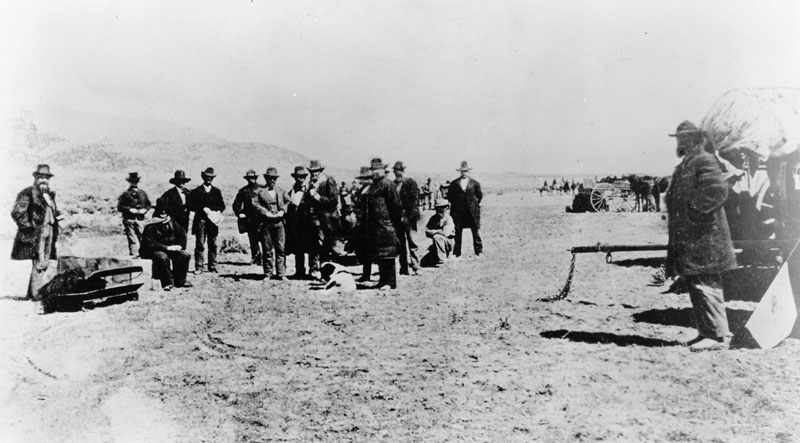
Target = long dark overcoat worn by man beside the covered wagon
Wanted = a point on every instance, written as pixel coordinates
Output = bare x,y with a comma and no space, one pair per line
699,237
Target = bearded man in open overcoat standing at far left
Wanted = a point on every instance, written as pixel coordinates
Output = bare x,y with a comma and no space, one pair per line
36,215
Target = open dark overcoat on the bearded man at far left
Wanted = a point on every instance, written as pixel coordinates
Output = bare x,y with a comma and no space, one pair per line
28,214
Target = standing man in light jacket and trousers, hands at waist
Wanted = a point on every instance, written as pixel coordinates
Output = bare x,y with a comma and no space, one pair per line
270,206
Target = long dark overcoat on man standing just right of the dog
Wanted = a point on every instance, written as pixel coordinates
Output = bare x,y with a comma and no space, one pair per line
380,209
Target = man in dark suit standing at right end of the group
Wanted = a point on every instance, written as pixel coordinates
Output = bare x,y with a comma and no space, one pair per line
464,195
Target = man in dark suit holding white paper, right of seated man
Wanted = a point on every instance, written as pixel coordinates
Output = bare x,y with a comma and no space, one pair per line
205,200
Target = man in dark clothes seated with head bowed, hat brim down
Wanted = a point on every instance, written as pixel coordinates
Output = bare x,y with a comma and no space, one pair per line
164,242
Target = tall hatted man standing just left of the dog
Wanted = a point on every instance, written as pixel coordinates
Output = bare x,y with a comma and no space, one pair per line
323,199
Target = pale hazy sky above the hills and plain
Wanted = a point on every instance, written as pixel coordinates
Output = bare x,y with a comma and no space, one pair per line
578,87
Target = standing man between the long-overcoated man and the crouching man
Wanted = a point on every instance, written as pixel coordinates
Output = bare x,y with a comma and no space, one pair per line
408,192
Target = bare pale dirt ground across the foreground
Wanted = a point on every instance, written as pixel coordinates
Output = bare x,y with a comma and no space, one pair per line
460,353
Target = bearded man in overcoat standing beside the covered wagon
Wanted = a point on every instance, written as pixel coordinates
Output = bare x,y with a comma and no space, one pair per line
700,247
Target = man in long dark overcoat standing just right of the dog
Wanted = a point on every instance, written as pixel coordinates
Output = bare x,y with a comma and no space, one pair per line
381,212
